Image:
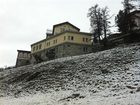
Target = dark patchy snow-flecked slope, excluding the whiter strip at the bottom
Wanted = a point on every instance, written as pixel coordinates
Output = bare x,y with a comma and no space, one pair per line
113,72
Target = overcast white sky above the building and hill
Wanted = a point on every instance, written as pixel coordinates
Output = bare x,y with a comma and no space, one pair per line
23,22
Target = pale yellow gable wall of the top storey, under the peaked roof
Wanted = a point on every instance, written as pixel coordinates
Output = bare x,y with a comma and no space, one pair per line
62,28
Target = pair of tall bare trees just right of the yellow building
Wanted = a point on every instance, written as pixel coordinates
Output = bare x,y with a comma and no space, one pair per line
99,21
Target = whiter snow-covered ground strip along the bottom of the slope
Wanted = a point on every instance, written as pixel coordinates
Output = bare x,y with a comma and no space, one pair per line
55,99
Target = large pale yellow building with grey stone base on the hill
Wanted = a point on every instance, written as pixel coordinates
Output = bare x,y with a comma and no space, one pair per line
65,40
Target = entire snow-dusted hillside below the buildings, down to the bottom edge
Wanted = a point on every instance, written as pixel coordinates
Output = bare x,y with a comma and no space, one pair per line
110,77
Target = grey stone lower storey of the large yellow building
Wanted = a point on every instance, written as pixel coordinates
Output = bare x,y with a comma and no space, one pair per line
63,50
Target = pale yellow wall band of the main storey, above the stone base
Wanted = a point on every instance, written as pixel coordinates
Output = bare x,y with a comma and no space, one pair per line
78,39
